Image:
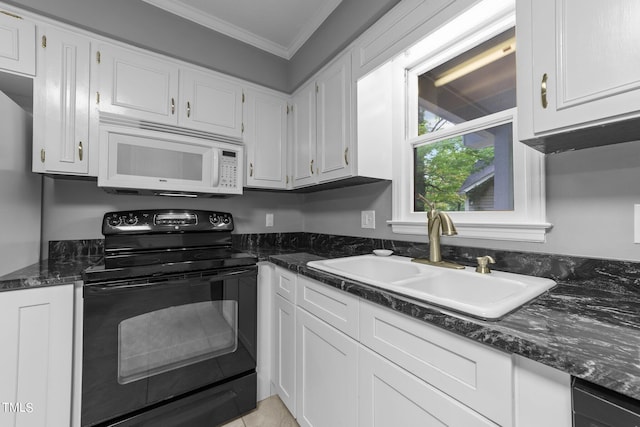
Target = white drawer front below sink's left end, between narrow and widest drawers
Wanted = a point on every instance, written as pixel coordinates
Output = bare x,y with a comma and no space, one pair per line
337,308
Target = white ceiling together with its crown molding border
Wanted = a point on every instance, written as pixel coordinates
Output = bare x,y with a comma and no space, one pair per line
279,27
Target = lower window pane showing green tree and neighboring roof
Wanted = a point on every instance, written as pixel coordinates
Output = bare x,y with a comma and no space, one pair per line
470,172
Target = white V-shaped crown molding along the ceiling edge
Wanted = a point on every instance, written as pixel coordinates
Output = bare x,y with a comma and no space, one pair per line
212,22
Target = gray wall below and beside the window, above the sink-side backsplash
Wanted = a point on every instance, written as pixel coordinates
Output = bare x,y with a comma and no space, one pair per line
590,198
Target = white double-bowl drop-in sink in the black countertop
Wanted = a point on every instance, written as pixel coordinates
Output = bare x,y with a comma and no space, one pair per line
486,296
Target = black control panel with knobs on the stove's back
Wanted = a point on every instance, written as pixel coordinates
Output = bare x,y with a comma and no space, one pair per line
165,221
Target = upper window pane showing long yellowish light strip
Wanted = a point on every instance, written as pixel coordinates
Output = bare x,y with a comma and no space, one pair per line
477,83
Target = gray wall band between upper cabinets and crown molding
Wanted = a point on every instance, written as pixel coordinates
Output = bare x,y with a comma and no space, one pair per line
138,23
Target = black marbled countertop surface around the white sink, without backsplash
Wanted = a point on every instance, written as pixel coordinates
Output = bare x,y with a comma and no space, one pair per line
585,331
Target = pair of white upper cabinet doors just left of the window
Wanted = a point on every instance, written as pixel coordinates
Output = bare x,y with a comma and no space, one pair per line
322,130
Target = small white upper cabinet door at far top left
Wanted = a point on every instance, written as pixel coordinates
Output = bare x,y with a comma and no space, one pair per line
17,44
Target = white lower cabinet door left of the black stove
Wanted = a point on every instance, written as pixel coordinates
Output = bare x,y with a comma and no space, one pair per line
36,361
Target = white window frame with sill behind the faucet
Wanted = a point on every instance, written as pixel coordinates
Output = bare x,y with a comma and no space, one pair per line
527,221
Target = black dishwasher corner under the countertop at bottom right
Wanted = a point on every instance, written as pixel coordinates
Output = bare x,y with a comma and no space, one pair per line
595,406
